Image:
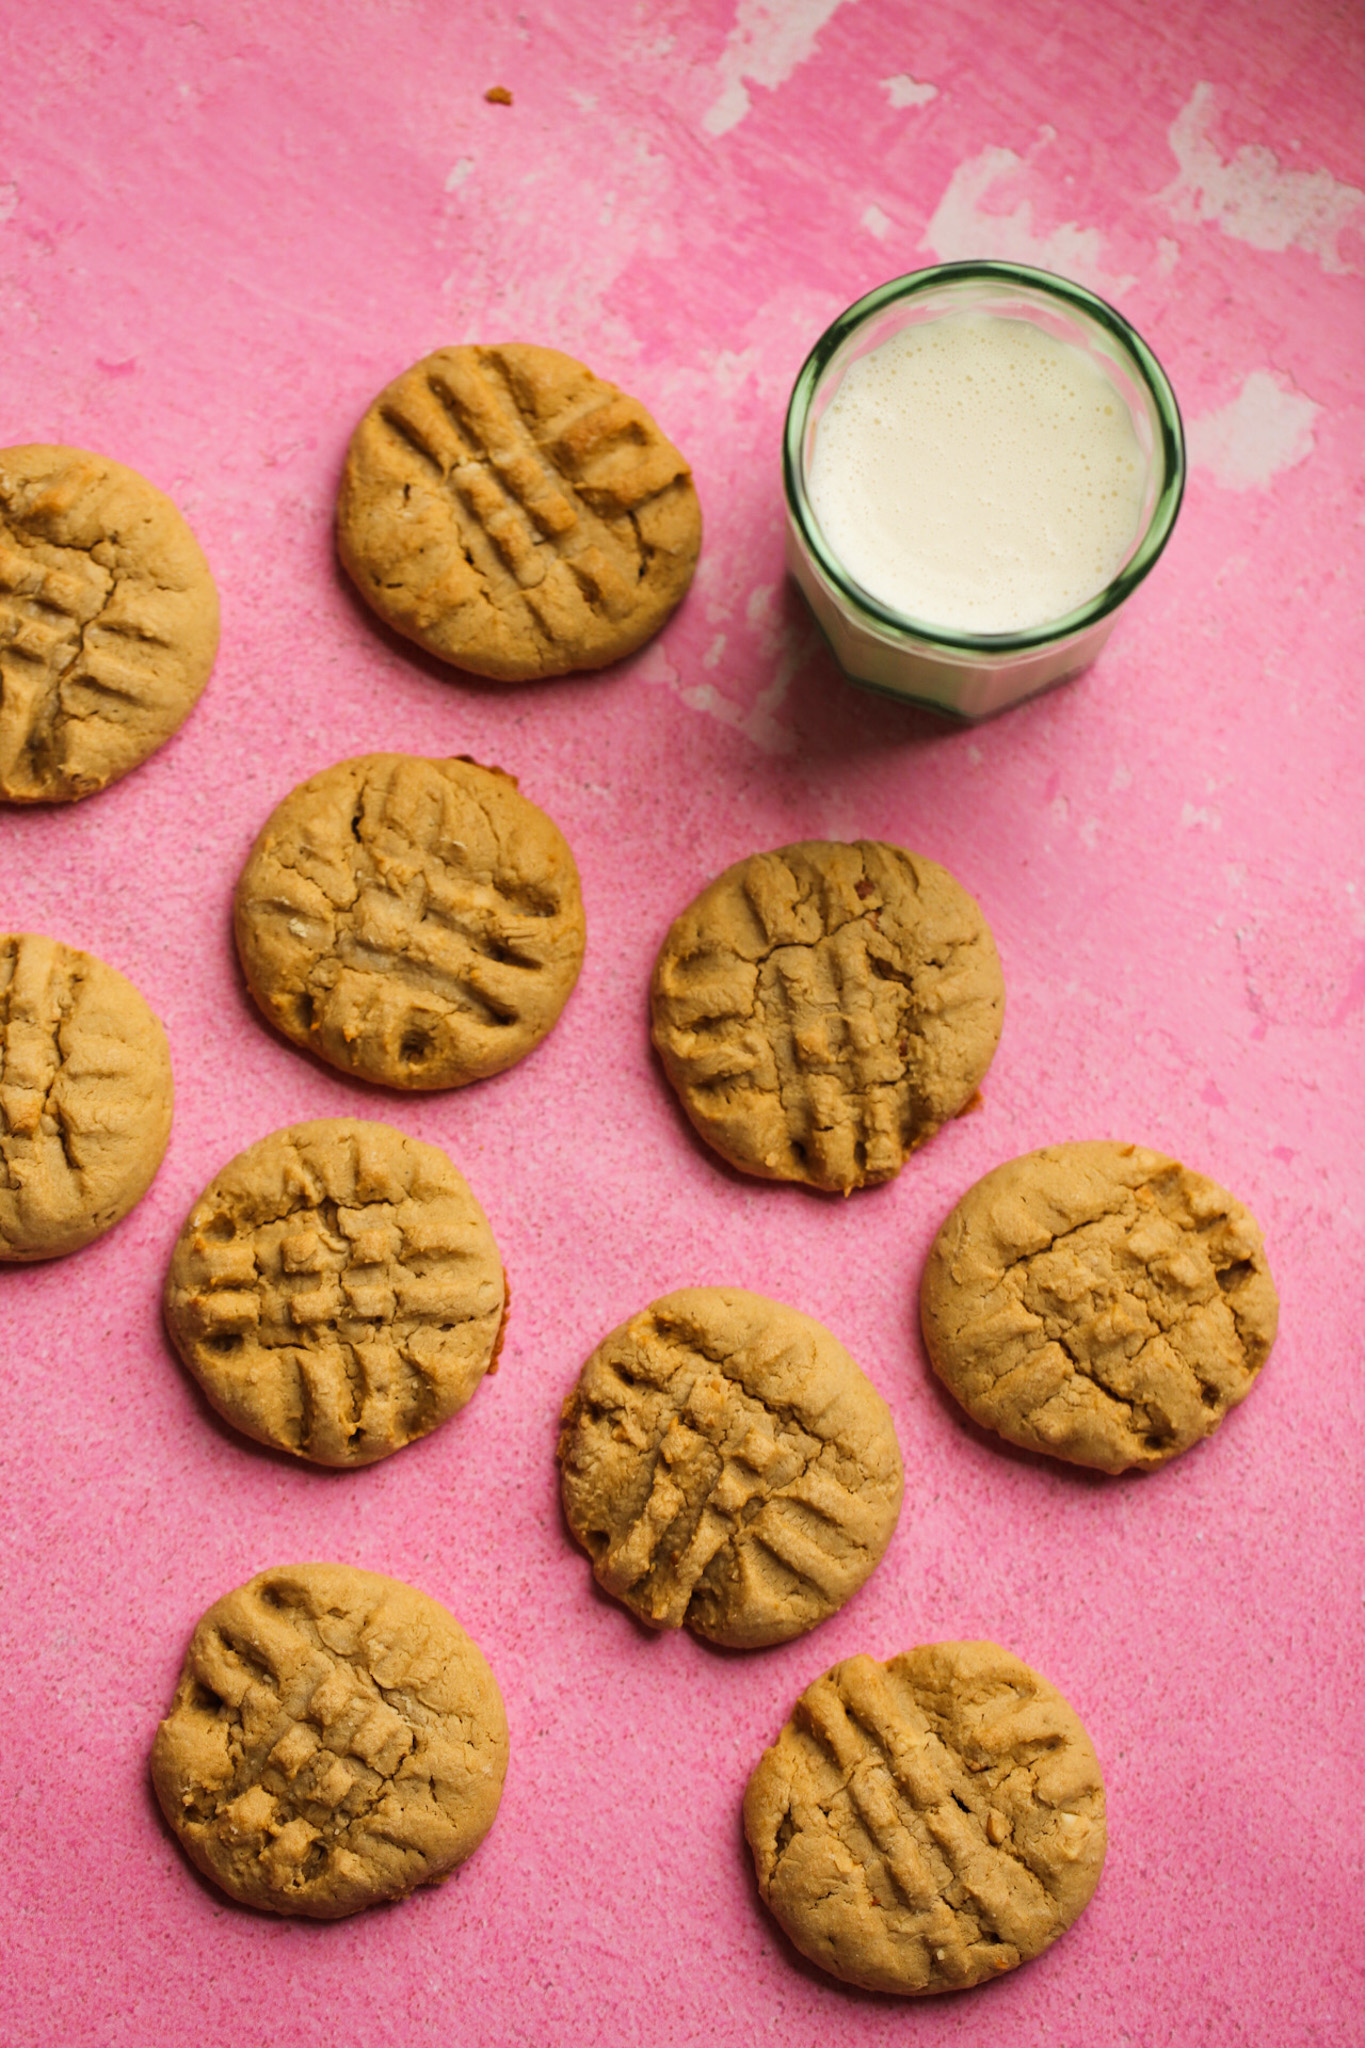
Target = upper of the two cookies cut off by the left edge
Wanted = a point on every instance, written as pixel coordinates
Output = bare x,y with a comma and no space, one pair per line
109,622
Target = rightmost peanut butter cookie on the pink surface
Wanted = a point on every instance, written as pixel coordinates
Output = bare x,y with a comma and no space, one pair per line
1102,1304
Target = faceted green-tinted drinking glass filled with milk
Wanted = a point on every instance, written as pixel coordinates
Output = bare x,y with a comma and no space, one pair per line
981,466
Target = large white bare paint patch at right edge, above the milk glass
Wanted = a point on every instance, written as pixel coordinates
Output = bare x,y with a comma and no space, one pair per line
1251,196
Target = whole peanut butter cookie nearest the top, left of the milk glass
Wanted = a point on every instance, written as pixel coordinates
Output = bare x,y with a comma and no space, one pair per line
517,515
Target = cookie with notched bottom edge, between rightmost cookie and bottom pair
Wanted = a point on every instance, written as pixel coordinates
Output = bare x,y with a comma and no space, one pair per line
728,1465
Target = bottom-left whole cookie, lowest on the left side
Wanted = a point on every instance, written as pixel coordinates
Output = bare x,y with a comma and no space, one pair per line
335,1742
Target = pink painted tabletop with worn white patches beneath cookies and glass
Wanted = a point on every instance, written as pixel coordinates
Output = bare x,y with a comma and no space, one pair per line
224,228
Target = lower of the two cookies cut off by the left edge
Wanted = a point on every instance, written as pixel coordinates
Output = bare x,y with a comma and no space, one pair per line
85,1097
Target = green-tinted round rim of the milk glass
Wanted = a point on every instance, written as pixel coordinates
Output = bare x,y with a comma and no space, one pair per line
1075,298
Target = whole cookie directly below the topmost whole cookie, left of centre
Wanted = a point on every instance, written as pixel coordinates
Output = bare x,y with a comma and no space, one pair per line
416,923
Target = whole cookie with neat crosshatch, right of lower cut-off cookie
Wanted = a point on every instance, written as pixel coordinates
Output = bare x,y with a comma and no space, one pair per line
337,1291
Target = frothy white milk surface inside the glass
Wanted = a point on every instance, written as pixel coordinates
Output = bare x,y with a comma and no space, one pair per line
977,474
